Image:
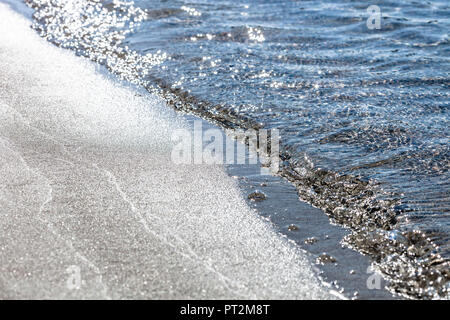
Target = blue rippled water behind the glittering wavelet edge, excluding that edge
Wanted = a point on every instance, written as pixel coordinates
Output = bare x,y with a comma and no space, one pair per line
370,103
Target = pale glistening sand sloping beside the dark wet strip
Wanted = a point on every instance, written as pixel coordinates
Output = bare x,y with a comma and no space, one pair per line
86,181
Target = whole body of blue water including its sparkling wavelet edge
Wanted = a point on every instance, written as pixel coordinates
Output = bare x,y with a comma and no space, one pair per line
363,114
